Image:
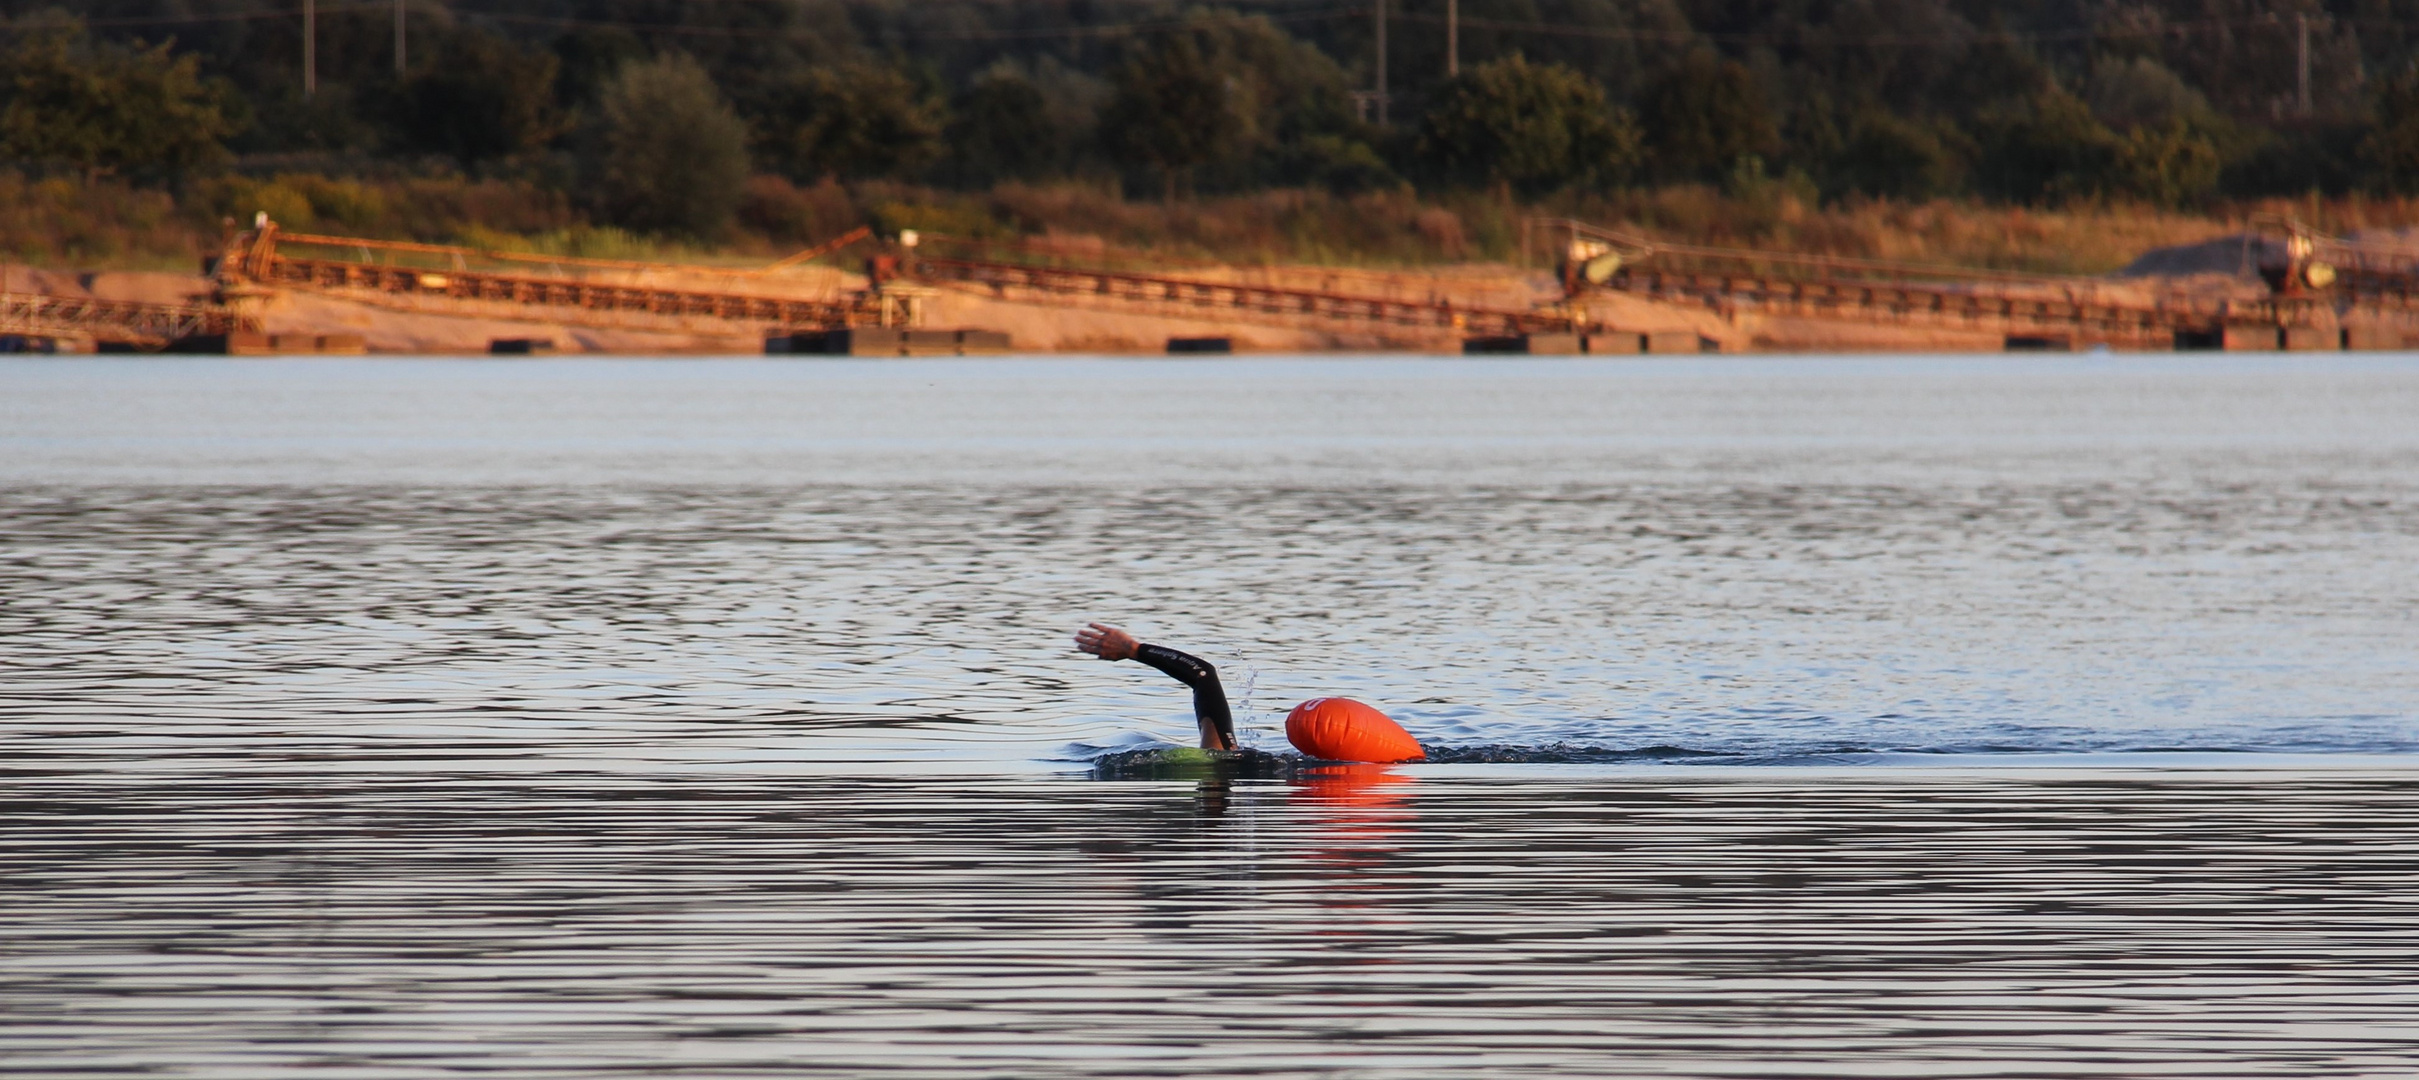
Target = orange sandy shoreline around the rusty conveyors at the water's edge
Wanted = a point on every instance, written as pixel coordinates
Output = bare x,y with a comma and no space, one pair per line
333,321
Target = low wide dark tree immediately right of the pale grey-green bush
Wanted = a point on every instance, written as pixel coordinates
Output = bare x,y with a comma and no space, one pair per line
850,122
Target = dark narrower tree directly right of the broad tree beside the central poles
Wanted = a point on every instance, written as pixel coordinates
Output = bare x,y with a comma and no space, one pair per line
1704,115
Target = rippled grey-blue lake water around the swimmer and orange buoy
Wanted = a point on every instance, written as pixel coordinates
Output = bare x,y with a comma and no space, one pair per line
717,718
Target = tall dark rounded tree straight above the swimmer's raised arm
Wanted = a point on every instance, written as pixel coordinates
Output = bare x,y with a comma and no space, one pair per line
1172,113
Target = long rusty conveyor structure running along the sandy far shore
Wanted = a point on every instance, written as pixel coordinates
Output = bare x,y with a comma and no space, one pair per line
1731,282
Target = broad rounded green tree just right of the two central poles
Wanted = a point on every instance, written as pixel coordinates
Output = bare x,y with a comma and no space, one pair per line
1532,127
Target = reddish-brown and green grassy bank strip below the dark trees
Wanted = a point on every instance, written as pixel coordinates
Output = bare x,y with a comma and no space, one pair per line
67,224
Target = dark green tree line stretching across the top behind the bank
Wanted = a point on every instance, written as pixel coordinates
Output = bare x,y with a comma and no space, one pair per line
654,115
